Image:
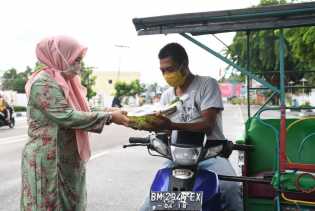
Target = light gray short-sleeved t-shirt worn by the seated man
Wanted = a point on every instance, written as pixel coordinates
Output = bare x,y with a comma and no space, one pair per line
202,93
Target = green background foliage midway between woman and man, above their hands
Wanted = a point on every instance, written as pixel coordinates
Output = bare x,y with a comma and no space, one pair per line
131,89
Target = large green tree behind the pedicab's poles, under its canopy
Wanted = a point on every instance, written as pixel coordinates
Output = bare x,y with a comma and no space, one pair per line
264,51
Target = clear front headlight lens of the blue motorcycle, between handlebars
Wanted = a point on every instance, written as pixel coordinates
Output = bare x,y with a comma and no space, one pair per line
185,156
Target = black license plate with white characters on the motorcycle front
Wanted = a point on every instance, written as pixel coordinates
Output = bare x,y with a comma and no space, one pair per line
181,200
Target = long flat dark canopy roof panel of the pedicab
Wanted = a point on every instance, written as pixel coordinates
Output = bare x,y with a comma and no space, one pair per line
256,18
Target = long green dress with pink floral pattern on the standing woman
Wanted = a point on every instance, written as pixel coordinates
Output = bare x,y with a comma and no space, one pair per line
53,175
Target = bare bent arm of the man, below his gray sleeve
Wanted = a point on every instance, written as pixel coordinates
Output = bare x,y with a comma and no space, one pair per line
205,124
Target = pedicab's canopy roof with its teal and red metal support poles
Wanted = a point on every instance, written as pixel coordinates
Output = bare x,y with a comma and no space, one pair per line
250,19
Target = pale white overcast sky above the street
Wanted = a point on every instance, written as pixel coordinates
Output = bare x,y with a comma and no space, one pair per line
104,25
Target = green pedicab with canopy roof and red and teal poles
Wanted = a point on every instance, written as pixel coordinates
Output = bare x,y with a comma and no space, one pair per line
279,162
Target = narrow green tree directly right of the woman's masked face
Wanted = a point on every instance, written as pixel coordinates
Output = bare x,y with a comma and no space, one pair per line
88,80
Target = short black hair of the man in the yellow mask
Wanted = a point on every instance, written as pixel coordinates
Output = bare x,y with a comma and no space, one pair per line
176,52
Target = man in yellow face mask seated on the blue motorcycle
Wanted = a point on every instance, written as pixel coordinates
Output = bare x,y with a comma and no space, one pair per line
200,112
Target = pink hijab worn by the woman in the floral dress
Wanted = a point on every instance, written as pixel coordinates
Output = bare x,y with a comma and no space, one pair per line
56,53
